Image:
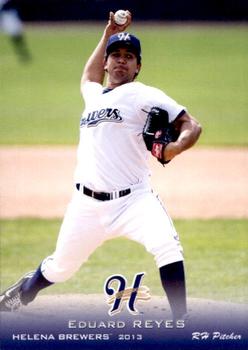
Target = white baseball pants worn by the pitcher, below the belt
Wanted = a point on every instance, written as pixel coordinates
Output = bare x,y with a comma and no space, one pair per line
88,222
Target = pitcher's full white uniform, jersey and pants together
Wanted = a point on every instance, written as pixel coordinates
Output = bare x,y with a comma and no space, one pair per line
112,156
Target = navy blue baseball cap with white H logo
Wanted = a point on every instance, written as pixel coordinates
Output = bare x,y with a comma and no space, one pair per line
124,39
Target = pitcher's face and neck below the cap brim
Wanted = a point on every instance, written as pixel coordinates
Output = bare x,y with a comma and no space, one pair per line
122,66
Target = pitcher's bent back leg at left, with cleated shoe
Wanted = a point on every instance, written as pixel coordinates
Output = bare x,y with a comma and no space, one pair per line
79,236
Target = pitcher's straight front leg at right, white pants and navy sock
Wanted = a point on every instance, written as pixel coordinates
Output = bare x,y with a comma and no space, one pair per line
149,224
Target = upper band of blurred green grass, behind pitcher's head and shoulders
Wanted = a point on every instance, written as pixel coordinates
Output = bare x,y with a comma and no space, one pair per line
203,67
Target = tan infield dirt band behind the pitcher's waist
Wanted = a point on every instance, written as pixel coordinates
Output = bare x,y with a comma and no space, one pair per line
200,183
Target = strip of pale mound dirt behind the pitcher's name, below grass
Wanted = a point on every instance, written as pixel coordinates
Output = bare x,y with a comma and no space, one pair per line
48,309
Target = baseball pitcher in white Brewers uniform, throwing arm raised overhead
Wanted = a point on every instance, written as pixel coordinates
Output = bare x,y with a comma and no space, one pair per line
113,196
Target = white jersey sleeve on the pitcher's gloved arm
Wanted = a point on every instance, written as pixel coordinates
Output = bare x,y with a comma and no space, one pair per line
157,98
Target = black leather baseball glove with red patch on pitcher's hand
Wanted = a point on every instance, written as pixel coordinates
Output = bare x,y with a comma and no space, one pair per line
158,132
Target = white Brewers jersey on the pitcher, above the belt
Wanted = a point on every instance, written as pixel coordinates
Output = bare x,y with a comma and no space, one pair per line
111,141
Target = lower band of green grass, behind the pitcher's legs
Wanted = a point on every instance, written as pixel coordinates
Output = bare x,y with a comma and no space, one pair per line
215,258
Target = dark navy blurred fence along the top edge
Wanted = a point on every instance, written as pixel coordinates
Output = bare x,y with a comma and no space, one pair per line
56,10
